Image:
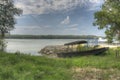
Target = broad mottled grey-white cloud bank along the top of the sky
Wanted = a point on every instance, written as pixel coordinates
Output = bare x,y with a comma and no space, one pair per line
46,6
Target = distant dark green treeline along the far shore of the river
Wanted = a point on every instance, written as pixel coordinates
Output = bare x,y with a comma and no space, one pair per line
51,37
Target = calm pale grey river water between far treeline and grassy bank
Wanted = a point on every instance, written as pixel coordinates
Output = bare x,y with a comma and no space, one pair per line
33,46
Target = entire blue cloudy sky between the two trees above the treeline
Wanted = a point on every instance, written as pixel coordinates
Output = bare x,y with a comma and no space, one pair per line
57,17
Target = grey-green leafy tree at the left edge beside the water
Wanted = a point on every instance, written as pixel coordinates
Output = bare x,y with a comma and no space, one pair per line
7,20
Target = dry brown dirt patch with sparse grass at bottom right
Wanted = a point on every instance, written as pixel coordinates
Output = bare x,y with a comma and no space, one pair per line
95,74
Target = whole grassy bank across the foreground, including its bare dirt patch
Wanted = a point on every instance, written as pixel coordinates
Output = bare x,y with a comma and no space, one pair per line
26,67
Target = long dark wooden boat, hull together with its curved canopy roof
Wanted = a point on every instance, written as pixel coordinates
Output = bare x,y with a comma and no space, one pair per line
97,51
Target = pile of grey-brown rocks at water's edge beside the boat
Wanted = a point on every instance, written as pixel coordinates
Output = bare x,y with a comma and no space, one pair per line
54,50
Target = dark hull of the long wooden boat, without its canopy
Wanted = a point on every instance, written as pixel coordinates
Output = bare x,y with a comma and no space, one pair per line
83,53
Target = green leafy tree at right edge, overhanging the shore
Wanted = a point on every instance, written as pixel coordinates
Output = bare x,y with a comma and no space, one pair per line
109,18
